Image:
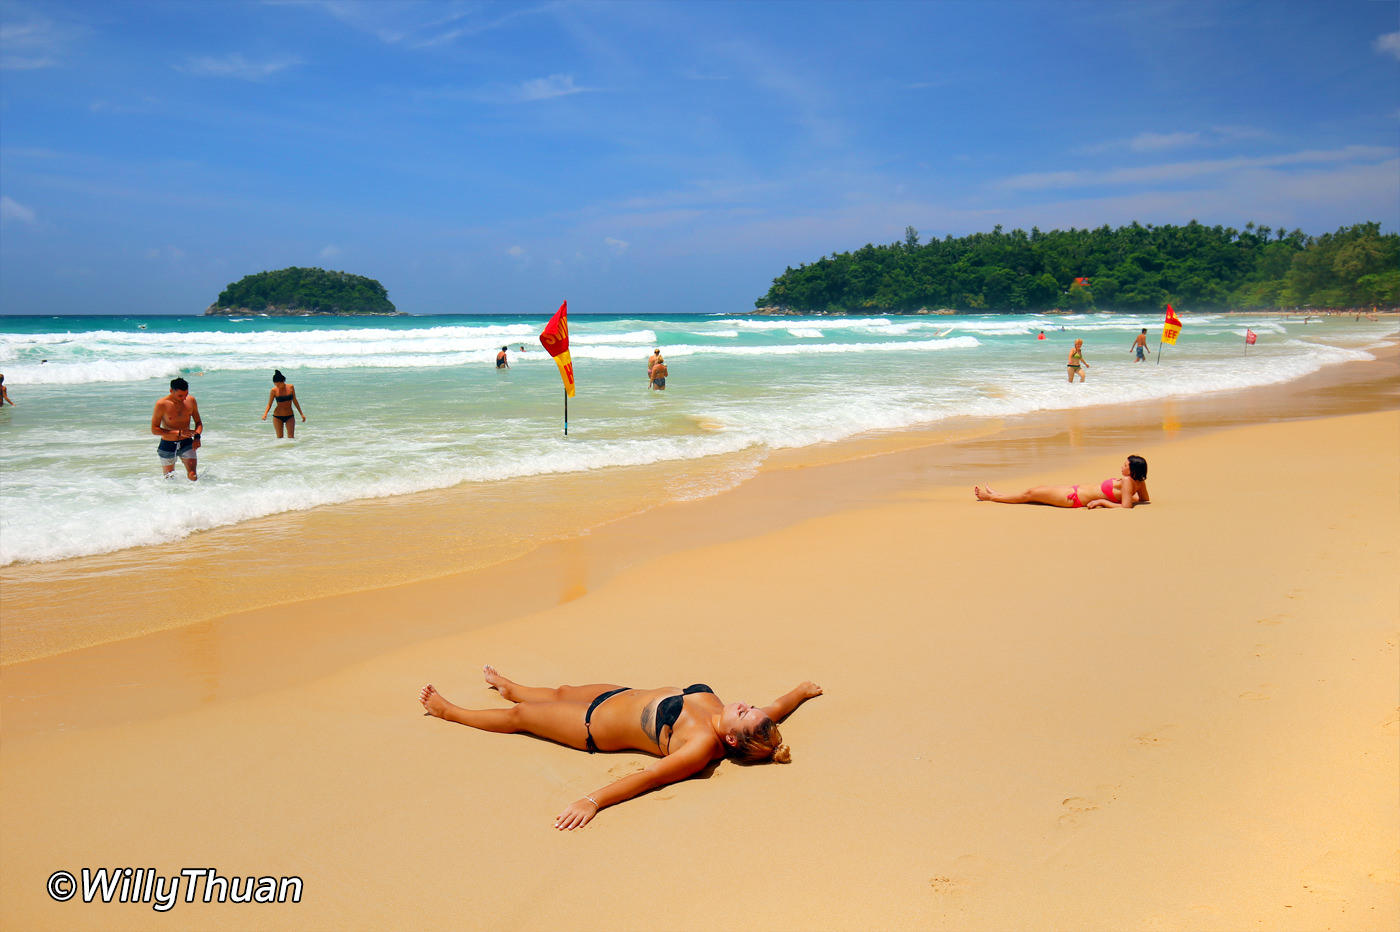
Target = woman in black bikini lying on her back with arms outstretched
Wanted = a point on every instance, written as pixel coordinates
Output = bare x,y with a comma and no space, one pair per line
689,728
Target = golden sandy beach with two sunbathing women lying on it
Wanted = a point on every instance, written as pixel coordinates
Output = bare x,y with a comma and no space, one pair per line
1179,717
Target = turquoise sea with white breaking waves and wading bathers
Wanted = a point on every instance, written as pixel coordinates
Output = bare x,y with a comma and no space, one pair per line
408,405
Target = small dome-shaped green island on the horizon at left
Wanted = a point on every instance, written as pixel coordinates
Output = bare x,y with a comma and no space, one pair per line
302,292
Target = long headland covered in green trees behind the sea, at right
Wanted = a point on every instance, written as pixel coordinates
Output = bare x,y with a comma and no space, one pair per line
1133,268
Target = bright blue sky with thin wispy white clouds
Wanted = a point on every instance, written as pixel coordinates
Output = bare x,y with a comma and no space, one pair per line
649,157
